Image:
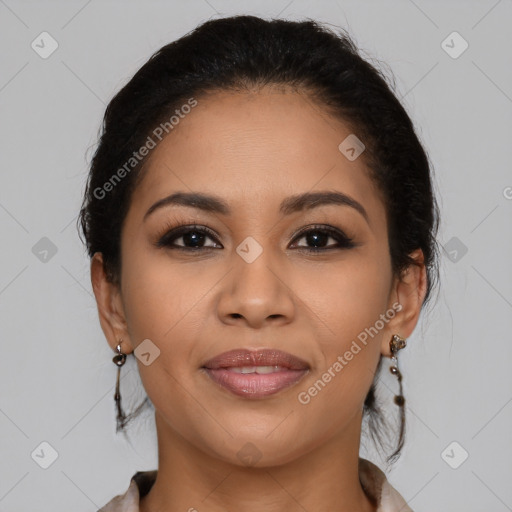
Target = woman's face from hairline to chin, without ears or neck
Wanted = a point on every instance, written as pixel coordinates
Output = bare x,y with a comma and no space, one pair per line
267,271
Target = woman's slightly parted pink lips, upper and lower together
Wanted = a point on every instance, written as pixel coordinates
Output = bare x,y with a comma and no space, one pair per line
225,370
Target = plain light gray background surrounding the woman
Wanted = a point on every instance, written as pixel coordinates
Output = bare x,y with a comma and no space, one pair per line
57,378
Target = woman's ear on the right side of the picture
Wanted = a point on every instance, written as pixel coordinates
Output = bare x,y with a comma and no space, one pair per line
409,291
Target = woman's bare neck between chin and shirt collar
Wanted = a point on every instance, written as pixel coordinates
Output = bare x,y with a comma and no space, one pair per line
325,478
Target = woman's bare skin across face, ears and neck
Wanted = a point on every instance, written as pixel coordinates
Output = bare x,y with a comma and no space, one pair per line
254,149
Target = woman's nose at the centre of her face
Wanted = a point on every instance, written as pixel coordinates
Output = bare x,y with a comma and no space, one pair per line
256,293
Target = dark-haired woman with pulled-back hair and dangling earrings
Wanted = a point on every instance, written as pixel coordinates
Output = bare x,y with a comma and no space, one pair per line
261,225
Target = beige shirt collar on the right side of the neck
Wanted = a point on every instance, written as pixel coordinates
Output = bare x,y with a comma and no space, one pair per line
376,485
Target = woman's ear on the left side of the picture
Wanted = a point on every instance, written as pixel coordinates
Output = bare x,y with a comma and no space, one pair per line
110,306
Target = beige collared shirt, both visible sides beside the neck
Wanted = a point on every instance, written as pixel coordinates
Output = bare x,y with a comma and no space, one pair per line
372,478
